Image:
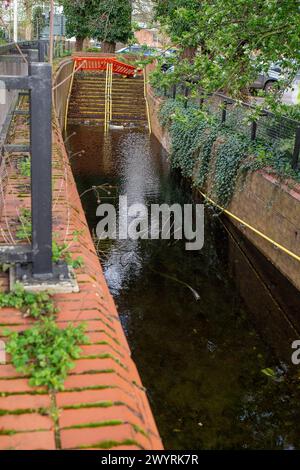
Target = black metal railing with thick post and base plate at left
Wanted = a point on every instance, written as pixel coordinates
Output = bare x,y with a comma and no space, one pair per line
35,261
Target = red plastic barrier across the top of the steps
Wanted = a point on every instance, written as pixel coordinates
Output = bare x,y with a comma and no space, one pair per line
100,63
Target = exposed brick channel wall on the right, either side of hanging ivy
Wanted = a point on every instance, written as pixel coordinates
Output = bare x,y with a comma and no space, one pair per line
264,202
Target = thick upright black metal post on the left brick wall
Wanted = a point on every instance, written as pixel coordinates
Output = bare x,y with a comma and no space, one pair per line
41,169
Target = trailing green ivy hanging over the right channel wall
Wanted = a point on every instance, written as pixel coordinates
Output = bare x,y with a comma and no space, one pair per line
203,148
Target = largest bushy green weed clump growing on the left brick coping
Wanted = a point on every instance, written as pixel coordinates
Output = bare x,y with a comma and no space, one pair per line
45,352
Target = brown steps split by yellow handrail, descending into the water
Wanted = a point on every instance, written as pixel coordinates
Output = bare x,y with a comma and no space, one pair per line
87,102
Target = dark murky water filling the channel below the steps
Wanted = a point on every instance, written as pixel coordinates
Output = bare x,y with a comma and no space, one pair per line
201,361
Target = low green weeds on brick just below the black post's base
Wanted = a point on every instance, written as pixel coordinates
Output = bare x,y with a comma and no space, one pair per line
31,304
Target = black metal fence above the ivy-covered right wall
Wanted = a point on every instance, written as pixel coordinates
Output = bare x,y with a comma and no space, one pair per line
277,131
